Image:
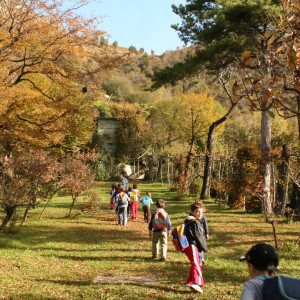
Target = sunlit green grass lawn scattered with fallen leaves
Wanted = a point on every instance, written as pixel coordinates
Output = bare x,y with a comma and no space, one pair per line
59,258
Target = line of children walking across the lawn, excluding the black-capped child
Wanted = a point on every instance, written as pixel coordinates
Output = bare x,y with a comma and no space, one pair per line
125,202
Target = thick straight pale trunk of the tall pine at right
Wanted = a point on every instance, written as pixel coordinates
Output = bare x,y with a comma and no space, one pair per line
266,162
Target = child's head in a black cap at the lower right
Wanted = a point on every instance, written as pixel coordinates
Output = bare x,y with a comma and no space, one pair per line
262,259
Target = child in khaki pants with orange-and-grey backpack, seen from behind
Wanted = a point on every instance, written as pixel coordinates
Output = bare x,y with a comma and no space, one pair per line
160,228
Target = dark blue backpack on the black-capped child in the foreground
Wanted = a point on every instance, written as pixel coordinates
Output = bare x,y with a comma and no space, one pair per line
281,288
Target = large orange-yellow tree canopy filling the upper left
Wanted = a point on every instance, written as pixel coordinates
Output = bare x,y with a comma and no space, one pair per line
47,53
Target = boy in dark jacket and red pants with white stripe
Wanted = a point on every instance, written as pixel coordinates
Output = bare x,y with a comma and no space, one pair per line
196,243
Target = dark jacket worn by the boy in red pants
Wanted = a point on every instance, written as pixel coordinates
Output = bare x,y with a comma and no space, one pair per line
195,233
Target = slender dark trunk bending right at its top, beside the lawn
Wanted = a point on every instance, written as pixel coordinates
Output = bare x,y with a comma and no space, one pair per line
205,193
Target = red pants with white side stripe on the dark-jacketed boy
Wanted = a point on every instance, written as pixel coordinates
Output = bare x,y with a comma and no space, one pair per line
195,275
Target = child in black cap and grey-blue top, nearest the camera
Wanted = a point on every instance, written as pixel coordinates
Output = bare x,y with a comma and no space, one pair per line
262,261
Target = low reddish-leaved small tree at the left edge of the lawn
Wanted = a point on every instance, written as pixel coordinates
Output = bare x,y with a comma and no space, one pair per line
26,181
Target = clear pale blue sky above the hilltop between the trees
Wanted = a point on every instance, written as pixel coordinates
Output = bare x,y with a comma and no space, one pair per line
141,23
